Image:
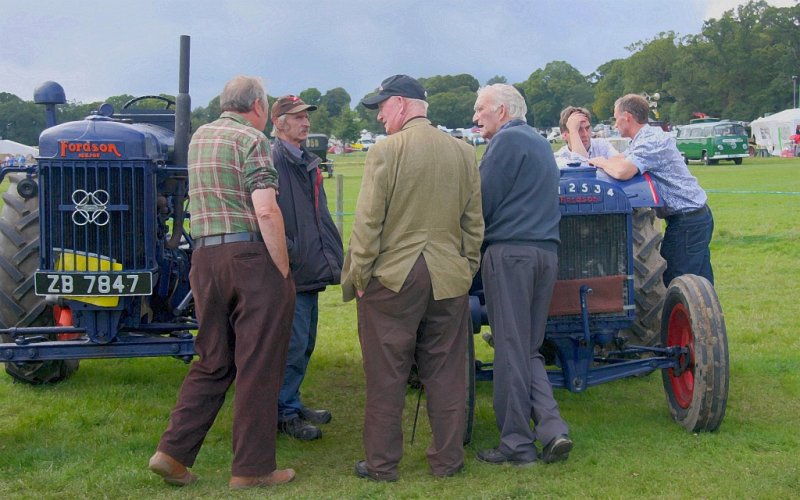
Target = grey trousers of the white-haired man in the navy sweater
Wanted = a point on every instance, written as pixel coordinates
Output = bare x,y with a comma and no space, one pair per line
518,283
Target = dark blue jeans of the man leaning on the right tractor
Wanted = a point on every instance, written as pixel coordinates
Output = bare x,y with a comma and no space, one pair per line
686,245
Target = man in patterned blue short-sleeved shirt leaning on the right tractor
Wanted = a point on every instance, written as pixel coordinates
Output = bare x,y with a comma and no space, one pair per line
690,223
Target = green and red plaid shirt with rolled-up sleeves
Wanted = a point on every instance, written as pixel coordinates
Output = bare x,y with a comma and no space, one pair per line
228,160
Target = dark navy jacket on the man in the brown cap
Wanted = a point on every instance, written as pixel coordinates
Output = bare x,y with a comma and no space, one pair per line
314,244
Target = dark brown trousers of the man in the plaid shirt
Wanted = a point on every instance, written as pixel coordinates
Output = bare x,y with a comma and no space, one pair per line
244,307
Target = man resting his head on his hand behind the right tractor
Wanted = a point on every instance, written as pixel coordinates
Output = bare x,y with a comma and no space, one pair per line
576,129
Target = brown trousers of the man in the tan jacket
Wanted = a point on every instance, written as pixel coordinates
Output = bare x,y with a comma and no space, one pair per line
395,329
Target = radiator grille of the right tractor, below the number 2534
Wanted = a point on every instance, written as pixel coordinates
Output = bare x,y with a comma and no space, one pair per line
593,246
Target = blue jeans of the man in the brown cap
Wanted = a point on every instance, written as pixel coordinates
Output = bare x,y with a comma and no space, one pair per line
301,346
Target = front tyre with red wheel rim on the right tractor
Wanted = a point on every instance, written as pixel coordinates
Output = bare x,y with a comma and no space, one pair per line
697,392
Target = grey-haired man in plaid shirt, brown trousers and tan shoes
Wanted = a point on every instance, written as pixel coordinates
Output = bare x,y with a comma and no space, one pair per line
243,295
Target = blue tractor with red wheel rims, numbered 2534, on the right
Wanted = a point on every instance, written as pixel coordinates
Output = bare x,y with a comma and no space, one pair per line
611,316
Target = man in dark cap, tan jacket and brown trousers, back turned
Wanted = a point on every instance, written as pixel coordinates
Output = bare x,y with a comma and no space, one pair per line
414,248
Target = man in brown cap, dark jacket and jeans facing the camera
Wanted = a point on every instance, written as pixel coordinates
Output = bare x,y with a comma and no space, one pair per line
315,255
